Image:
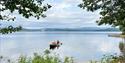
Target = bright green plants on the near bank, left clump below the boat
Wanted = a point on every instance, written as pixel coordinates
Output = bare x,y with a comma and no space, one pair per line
45,58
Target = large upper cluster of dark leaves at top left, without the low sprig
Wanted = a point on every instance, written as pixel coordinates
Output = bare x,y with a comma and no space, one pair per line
26,8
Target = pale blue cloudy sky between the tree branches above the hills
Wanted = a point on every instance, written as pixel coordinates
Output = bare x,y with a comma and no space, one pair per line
64,13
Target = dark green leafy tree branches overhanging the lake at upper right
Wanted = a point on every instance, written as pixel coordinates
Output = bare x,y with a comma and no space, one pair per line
112,11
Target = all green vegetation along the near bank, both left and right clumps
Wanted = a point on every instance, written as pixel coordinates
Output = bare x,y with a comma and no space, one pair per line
48,57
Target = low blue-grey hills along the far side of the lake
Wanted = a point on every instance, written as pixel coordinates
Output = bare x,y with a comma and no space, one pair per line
73,29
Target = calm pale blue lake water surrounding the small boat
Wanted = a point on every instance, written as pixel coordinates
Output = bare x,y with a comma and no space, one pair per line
83,46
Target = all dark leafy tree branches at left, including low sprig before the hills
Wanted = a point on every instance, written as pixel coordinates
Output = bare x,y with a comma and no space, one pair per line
26,8
